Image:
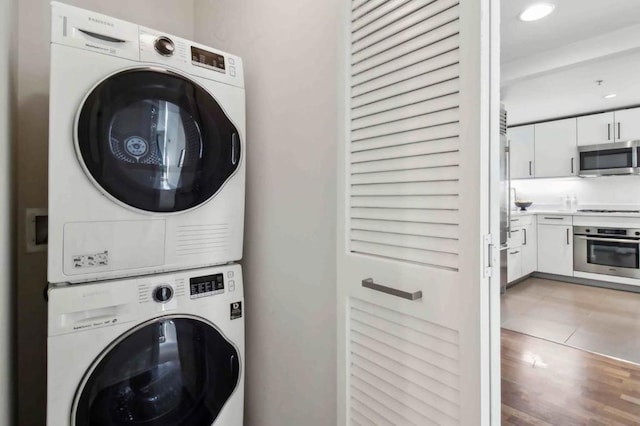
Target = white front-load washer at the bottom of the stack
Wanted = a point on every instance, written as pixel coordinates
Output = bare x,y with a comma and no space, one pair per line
163,350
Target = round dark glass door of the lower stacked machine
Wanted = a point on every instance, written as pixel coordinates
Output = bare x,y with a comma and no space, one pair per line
174,371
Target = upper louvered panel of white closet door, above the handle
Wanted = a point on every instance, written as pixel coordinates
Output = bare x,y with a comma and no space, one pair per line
404,163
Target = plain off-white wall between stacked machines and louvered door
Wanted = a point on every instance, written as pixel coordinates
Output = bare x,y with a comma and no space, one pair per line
289,48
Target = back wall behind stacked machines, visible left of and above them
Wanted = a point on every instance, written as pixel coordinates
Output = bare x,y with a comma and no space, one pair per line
172,16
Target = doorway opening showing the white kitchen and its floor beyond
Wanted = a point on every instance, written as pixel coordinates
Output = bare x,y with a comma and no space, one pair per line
570,308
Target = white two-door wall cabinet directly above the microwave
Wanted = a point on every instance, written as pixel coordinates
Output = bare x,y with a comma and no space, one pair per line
614,126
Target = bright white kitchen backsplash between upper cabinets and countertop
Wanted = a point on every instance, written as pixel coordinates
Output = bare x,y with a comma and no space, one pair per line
604,192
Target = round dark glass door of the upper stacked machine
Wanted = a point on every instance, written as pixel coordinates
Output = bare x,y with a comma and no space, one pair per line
156,141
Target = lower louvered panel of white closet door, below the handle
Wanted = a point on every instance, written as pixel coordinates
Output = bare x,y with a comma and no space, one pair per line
404,370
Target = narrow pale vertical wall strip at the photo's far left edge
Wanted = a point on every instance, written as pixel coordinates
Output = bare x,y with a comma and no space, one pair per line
7,73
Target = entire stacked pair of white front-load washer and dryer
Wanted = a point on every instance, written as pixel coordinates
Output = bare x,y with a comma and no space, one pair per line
146,214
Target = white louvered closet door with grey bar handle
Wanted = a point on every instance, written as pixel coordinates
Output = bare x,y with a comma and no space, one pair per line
414,209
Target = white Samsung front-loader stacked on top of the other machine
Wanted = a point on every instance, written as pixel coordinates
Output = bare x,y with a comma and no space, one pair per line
146,151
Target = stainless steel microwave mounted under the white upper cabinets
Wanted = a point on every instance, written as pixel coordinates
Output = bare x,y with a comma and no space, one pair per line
619,158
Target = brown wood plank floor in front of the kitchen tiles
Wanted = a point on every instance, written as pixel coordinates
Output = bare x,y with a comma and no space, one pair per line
545,383
